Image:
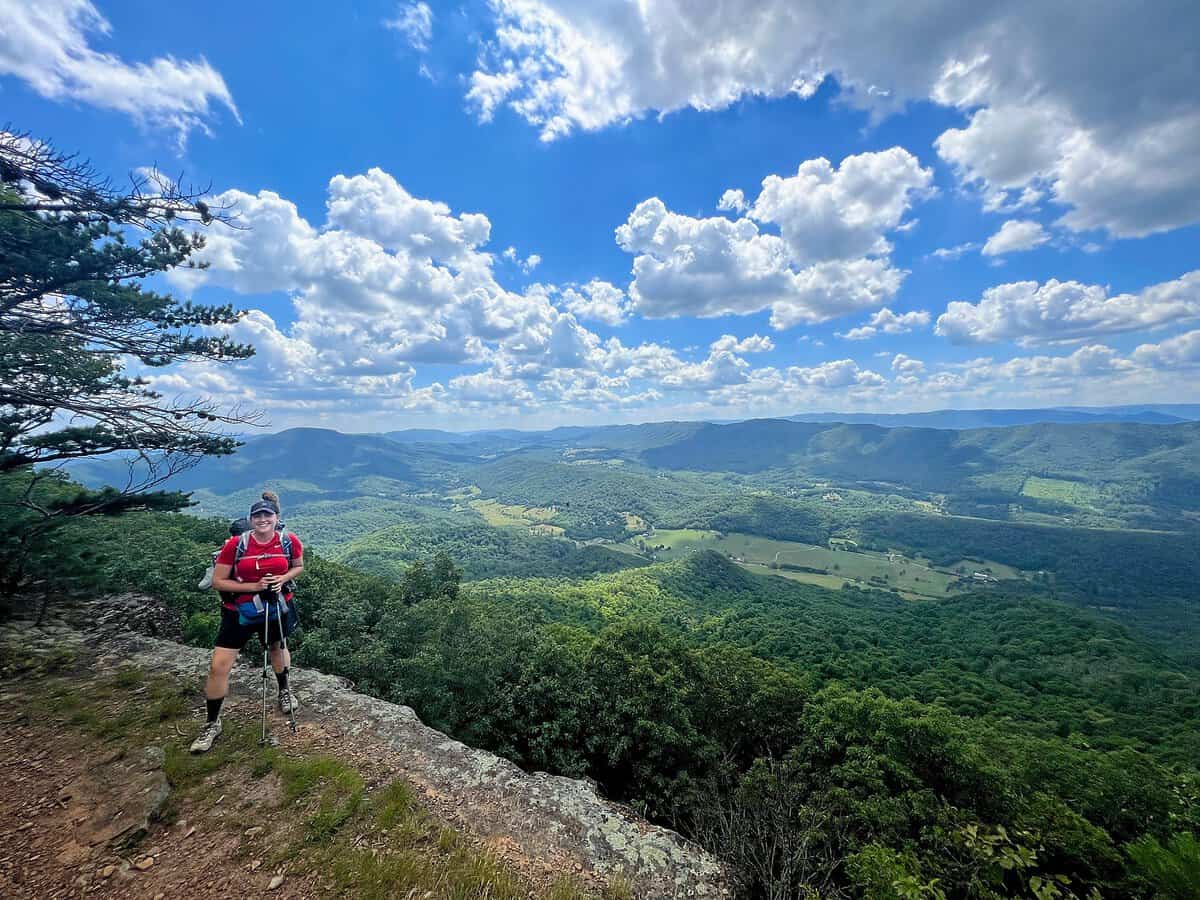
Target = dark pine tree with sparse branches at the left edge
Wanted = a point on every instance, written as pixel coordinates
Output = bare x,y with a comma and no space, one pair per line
79,329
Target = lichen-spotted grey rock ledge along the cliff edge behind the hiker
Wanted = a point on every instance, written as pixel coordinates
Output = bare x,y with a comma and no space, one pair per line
559,825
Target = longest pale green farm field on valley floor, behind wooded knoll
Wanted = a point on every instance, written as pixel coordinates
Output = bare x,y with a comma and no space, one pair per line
835,567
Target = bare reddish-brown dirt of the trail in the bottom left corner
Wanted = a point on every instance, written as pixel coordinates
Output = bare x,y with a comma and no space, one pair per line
53,812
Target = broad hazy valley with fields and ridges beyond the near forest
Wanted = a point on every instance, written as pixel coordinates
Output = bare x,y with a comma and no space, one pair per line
1103,515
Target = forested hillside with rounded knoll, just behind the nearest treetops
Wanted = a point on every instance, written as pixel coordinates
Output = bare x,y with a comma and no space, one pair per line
992,655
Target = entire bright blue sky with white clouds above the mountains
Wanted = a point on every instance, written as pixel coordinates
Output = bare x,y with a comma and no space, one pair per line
511,213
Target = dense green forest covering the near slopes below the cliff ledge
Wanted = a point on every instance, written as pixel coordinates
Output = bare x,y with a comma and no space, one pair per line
848,742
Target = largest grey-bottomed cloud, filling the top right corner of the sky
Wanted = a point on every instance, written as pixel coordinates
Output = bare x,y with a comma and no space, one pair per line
1103,124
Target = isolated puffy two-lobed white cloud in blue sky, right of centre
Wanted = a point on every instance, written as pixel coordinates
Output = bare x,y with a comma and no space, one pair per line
830,259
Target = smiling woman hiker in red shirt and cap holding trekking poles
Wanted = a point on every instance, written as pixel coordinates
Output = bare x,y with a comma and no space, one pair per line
263,561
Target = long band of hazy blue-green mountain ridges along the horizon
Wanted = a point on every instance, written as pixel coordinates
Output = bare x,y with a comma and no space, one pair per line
1153,465
